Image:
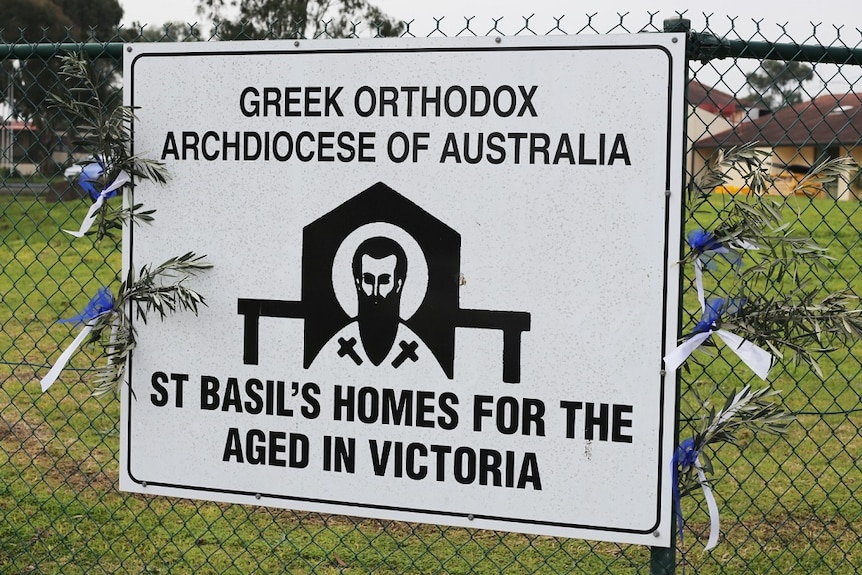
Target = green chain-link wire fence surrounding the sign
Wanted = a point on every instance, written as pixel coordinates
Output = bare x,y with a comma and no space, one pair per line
789,504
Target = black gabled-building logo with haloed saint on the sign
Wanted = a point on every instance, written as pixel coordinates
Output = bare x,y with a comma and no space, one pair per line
380,281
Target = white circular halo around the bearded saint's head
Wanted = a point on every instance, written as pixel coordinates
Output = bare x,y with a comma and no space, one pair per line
415,284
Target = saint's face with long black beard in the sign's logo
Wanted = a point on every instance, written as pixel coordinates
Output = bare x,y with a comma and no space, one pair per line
379,293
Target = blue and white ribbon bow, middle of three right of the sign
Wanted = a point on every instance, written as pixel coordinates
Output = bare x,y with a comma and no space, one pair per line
758,359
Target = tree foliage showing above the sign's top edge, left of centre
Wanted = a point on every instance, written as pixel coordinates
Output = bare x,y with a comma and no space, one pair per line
260,19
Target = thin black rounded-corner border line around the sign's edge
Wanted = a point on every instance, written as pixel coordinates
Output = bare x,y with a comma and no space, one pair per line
347,505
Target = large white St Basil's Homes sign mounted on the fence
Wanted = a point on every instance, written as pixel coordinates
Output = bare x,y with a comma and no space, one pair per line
444,279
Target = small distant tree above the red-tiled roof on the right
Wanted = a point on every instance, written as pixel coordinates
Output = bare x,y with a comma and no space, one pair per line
776,84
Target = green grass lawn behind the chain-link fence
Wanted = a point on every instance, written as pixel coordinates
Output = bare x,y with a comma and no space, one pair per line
788,505
